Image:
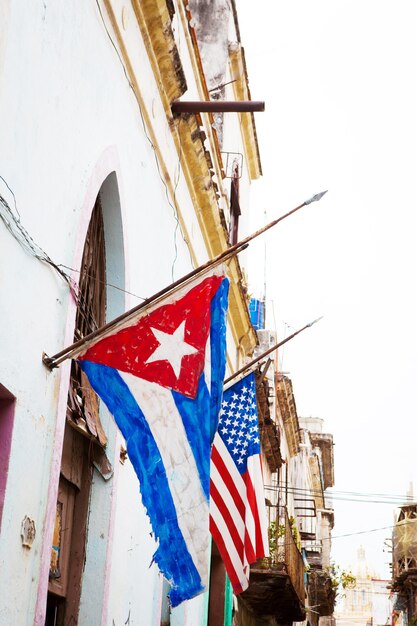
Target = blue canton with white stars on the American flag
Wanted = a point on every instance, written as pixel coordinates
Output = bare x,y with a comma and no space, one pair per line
238,422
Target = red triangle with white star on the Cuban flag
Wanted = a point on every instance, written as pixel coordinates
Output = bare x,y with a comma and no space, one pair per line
166,346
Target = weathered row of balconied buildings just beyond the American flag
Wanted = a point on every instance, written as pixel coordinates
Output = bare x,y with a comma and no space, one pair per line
293,584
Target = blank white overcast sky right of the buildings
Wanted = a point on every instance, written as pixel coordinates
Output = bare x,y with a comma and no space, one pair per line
338,79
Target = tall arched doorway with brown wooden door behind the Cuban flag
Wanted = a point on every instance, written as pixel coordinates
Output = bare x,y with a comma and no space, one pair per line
88,447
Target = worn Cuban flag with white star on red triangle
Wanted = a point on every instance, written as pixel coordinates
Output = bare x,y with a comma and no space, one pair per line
161,376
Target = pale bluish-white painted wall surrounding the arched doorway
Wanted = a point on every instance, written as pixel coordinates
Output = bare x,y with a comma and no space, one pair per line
68,119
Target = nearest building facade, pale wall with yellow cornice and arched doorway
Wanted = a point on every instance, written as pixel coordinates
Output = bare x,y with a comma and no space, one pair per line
107,196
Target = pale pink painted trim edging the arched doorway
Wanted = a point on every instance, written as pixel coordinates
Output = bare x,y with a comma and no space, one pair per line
107,163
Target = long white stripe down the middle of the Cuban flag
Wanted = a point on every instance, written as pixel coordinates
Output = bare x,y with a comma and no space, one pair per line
165,422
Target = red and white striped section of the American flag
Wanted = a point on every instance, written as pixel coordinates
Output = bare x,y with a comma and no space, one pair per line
237,513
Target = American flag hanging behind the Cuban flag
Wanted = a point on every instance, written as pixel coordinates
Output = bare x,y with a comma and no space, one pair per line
237,505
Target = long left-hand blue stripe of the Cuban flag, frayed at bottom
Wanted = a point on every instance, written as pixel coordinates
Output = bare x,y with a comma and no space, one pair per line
171,556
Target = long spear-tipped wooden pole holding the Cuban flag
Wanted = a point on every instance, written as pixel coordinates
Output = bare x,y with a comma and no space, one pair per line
53,361
